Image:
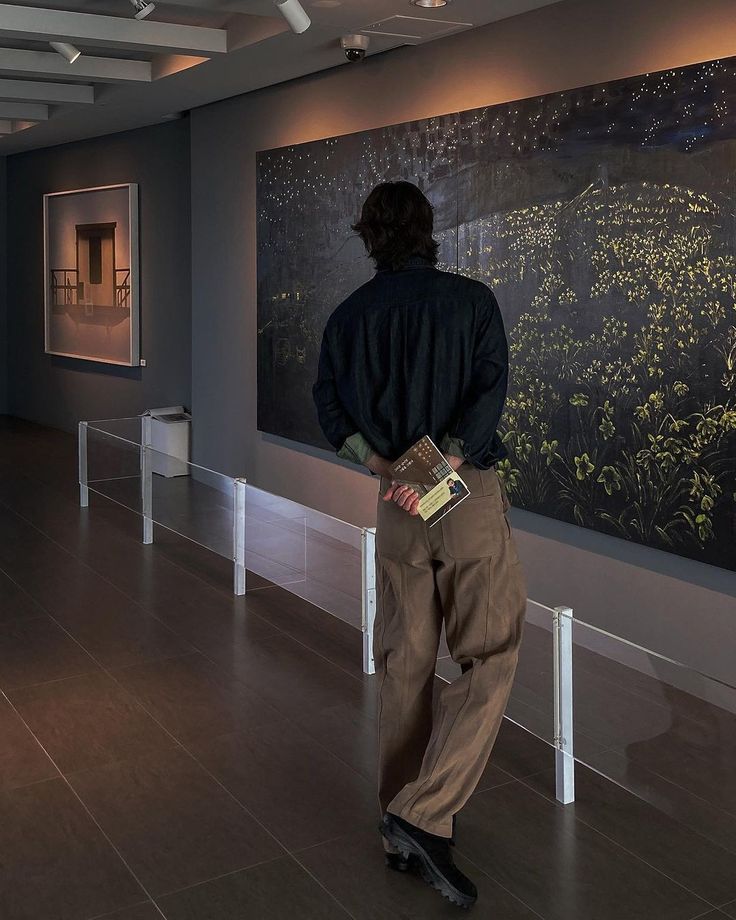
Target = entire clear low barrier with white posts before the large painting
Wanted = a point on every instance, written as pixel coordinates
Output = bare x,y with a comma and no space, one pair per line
649,723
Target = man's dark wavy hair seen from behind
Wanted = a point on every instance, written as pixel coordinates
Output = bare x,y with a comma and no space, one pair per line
396,223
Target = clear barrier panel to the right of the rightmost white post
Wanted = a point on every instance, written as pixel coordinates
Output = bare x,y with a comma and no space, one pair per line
662,730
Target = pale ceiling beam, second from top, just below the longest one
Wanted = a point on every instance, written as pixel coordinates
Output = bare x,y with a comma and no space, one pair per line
16,62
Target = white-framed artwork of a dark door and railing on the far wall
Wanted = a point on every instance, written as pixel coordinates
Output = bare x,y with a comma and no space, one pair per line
91,266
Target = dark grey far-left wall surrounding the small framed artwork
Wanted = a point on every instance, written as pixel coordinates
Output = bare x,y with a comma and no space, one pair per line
61,391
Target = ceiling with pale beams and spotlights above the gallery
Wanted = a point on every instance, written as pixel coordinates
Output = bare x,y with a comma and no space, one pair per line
261,51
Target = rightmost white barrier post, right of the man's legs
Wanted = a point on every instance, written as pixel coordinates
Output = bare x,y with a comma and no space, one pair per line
564,758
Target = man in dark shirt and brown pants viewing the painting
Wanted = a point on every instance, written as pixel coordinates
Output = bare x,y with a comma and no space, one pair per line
392,368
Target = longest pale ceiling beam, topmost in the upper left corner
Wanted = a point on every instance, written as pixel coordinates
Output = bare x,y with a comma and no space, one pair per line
26,23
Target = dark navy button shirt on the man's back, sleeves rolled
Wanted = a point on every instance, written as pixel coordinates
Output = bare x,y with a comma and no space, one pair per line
414,351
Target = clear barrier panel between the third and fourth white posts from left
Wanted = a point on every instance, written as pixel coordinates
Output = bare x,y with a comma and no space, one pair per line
311,554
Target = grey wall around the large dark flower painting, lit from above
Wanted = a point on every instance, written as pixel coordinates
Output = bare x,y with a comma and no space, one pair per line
681,608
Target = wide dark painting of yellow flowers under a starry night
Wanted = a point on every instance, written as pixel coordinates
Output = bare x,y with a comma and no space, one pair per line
603,219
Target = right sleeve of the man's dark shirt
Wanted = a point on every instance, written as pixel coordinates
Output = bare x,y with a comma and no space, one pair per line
484,399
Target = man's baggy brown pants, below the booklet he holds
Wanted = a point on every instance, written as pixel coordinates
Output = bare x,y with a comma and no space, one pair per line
464,570
